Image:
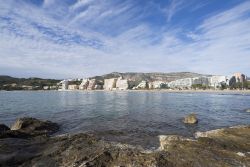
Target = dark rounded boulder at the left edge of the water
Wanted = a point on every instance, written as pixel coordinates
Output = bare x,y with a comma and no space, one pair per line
34,126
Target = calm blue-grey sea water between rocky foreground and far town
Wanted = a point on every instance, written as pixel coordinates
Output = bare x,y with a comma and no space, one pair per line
129,117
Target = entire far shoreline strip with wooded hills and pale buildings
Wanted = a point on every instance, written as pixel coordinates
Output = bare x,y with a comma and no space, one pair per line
131,81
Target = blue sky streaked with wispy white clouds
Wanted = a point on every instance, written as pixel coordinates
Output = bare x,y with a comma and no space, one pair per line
82,38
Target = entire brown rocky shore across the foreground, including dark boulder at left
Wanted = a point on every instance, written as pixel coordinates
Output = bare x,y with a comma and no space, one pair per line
29,143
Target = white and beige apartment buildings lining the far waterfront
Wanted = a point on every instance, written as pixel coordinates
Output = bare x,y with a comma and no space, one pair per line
236,81
